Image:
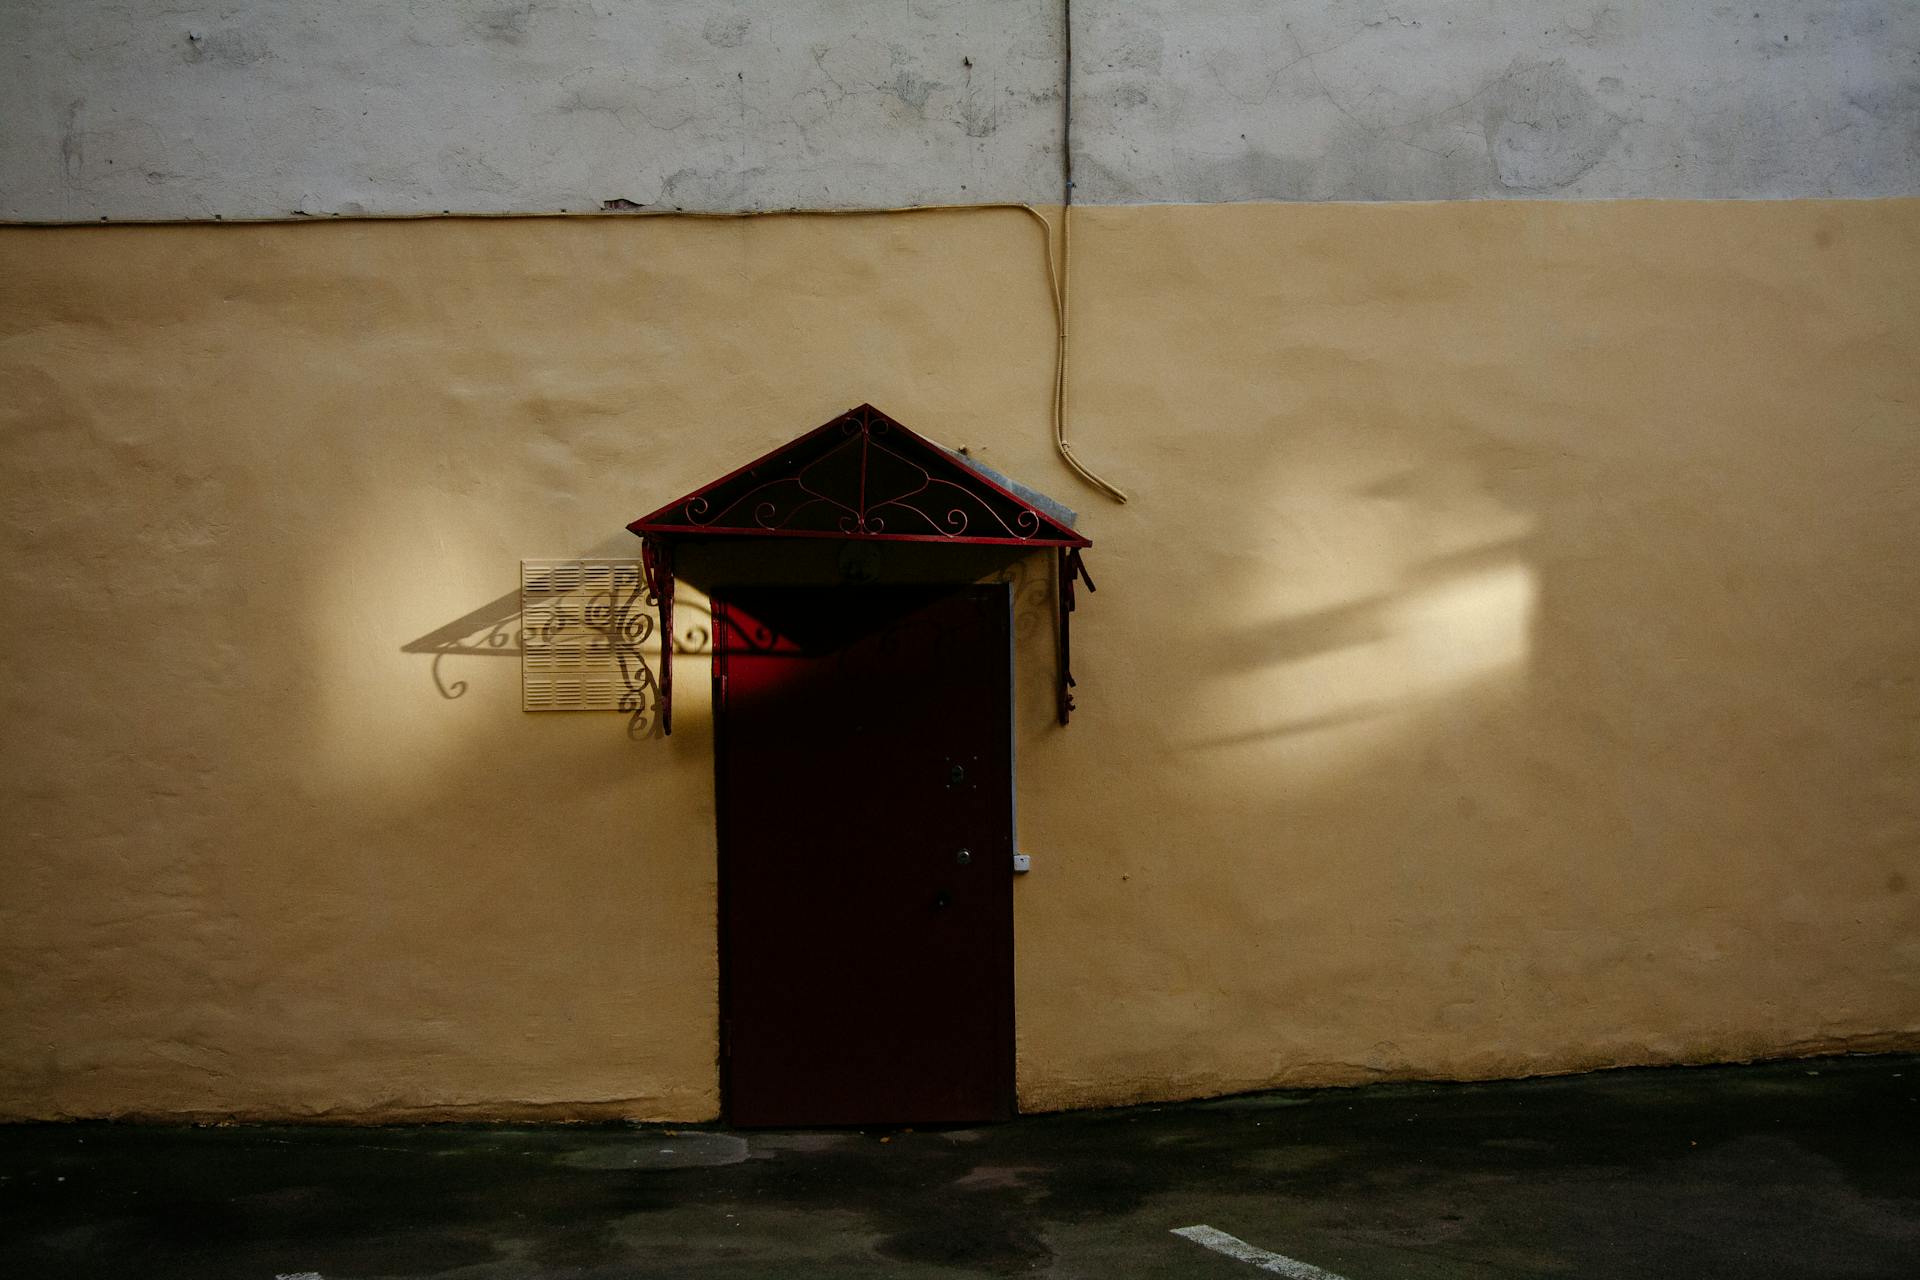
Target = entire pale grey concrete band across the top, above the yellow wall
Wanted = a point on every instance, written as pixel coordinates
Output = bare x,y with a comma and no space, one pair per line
124,110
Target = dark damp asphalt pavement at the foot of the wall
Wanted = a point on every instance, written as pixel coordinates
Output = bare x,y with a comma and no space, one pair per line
1802,1170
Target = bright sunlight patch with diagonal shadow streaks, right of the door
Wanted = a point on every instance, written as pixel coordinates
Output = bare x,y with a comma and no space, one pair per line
1393,584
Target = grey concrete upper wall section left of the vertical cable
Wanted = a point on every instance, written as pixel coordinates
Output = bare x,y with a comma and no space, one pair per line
132,110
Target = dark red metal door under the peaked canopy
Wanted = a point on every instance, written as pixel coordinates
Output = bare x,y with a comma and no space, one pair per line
867,830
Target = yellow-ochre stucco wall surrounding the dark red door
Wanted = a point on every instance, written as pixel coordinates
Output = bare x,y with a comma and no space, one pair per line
1510,659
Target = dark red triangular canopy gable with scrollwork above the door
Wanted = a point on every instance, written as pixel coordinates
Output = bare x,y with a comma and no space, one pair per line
863,475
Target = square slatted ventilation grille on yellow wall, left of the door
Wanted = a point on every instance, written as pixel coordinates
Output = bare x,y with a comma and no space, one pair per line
583,628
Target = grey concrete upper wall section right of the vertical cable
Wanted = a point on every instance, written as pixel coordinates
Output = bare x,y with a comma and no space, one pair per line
1209,101
